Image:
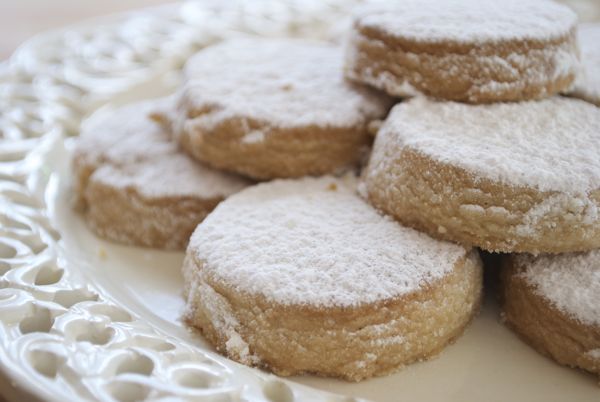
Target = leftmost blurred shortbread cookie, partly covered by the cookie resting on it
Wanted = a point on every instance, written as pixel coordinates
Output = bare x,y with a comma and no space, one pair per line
135,187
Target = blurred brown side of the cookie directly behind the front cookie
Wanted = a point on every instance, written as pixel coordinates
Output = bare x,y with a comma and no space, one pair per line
279,152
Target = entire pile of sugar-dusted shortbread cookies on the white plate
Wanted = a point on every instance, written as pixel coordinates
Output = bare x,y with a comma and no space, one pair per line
352,278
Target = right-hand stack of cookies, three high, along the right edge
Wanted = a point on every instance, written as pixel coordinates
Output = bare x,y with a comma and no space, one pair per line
511,167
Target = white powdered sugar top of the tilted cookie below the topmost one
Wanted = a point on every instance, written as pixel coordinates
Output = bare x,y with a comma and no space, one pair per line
549,145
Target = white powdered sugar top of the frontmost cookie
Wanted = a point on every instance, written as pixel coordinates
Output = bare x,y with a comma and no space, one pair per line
315,242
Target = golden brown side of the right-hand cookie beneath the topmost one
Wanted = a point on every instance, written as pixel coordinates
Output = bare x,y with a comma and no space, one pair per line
449,203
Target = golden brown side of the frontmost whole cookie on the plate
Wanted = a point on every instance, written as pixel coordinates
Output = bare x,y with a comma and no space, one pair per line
351,343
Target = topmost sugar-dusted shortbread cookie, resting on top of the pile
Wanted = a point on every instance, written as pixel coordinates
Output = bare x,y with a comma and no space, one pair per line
475,51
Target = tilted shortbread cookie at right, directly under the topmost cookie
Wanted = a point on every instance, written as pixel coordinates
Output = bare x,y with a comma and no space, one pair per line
521,177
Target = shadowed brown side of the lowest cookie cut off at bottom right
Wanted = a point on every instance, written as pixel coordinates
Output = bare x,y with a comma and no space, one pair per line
548,330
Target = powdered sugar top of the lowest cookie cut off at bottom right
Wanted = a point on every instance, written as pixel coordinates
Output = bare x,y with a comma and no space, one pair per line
571,282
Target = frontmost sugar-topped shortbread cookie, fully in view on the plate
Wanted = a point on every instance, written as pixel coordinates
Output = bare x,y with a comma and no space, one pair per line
304,276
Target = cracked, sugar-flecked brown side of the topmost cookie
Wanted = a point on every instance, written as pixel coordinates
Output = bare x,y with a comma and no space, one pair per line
522,70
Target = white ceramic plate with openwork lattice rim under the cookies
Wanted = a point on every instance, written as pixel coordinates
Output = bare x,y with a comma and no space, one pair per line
83,319
